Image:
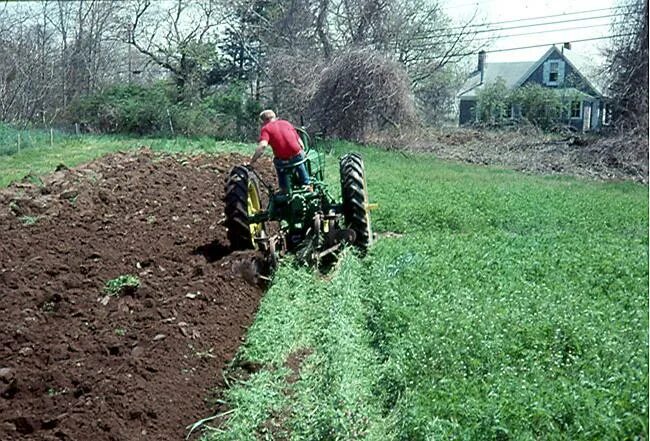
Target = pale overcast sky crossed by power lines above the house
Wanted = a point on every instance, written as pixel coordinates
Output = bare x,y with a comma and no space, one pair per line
491,11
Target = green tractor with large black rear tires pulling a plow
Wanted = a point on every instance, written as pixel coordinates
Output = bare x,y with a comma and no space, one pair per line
312,224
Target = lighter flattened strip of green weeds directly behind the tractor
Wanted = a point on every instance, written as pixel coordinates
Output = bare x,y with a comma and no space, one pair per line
331,391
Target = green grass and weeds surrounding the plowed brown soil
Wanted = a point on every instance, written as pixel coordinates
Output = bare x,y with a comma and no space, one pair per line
493,306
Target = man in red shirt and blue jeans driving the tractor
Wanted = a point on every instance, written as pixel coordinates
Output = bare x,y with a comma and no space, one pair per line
287,147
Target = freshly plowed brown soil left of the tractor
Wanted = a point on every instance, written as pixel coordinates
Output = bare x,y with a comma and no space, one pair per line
76,363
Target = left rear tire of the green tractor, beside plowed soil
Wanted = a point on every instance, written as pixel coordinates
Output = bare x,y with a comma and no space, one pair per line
237,207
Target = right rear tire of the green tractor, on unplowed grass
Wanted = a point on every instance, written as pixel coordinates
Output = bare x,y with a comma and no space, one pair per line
355,199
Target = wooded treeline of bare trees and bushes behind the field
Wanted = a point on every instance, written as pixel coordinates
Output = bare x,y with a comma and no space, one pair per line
348,67
